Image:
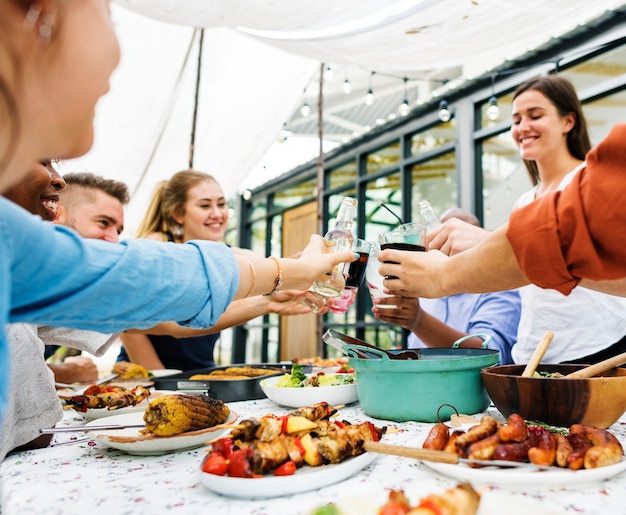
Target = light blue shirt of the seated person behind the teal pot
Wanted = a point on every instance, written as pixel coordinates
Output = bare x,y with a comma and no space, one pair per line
495,314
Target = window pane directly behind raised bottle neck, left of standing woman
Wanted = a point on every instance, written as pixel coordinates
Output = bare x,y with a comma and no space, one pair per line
436,181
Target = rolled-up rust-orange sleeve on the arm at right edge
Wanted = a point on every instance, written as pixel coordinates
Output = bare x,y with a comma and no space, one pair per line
579,232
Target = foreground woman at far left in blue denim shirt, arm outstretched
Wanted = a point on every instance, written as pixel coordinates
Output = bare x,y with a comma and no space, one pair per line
56,59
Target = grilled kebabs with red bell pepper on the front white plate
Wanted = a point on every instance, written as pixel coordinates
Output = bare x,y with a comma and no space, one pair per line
282,444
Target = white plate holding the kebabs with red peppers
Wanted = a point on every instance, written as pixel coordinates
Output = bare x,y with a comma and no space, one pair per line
306,478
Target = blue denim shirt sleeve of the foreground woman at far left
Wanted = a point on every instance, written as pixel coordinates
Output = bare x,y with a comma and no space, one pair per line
50,275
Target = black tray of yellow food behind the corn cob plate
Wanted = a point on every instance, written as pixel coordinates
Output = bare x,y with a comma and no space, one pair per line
227,390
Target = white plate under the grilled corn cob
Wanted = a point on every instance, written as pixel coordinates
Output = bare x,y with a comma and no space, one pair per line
131,441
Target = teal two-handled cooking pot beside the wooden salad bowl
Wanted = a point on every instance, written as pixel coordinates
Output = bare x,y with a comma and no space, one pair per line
430,388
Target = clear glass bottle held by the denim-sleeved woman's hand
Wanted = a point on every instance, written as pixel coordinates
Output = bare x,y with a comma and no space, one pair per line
341,234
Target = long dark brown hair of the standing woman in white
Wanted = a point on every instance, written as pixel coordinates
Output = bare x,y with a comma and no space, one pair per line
561,93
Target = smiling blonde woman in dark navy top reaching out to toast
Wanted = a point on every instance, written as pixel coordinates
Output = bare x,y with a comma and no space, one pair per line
191,206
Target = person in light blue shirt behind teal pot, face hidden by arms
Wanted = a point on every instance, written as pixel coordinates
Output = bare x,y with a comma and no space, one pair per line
440,322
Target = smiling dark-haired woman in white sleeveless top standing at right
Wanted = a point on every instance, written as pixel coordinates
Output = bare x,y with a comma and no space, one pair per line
550,130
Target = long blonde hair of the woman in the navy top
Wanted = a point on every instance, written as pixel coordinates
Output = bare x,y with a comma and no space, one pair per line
168,200
